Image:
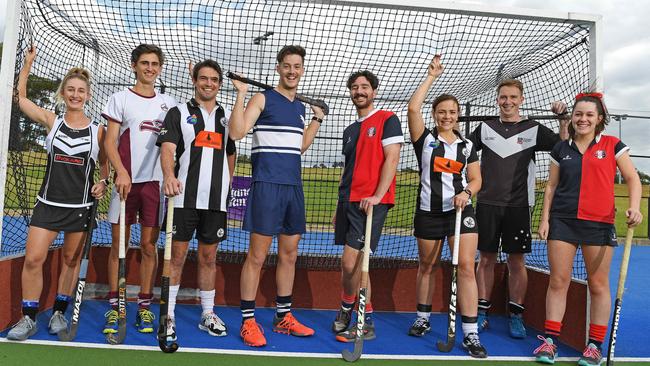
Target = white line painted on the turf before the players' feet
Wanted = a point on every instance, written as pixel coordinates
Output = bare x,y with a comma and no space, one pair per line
296,354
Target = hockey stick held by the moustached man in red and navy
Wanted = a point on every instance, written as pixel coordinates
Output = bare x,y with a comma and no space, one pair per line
361,314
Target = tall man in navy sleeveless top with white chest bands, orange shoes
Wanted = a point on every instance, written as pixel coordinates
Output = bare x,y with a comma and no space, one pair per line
276,201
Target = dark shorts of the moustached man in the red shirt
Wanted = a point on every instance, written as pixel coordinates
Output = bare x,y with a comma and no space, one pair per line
351,224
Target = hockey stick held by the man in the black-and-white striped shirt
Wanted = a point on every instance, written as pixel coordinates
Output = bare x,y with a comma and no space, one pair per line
167,347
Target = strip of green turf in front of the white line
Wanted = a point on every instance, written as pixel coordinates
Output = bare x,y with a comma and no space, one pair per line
29,354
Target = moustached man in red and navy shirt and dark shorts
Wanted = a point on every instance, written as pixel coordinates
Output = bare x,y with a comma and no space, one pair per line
371,147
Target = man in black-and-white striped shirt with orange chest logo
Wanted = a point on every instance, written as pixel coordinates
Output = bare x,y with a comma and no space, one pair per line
198,160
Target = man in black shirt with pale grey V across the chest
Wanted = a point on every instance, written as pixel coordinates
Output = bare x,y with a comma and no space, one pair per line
508,146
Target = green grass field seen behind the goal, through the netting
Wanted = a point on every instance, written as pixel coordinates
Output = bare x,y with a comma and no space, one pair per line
320,187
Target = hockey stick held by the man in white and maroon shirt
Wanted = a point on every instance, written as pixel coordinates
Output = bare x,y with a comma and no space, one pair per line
121,282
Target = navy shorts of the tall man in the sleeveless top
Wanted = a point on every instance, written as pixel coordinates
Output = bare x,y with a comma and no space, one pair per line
274,209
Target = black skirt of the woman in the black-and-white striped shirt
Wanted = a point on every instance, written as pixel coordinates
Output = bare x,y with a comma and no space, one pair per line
436,226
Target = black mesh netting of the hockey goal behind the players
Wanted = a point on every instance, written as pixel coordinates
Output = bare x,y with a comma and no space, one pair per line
551,58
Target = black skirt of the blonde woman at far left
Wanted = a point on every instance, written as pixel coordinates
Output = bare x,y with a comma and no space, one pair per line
55,218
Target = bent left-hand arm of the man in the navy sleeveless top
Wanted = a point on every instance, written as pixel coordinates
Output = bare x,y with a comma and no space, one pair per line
242,119
